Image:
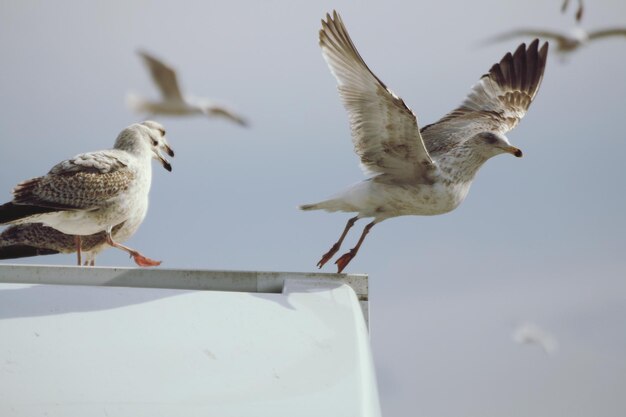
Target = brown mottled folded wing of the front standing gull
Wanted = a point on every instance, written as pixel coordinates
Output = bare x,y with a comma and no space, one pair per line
85,182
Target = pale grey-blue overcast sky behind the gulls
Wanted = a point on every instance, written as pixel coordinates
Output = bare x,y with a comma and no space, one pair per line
540,238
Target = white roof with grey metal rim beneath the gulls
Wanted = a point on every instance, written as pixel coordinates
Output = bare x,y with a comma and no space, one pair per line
101,350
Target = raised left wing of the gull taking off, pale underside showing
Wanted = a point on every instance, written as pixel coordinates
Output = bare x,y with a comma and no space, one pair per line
384,130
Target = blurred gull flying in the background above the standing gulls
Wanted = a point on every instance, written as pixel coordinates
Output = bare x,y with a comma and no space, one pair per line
173,103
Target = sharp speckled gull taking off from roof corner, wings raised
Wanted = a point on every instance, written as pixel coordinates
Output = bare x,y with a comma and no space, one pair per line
423,172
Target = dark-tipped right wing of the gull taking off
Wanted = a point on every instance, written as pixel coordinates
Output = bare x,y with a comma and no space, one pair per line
496,103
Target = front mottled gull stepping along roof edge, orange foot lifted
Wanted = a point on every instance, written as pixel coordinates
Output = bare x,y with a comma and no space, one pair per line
94,192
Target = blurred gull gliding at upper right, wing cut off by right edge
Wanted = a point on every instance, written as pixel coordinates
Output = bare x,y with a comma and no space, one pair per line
565,42
